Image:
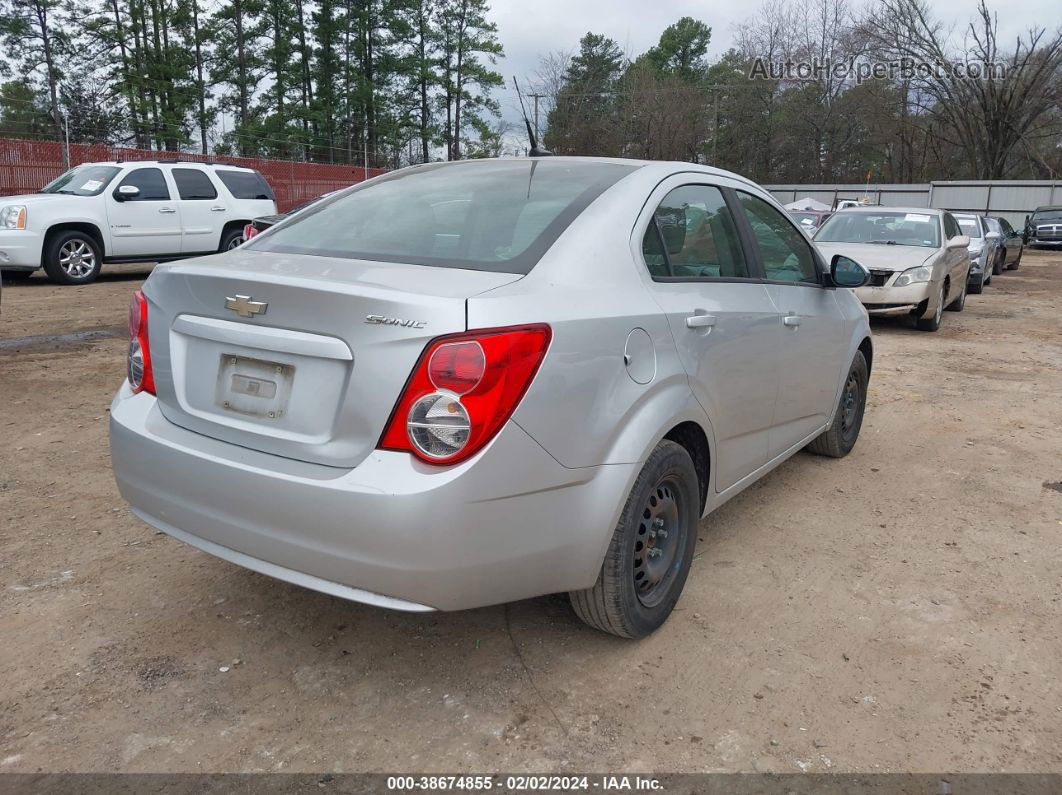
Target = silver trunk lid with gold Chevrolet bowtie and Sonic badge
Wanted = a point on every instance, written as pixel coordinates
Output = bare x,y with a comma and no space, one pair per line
298,356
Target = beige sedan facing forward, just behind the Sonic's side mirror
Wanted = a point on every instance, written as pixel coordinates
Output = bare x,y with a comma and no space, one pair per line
917,258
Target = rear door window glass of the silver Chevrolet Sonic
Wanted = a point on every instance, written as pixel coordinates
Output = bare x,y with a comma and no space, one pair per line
693,236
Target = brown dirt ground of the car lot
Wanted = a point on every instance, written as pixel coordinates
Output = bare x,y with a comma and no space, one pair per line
900,610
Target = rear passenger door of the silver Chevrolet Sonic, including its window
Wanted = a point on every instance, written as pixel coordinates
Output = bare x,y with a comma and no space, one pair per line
723,320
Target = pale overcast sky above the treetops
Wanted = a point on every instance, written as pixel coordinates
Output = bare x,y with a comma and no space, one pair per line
532,28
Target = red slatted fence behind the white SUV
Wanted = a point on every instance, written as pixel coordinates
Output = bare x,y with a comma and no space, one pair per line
28,166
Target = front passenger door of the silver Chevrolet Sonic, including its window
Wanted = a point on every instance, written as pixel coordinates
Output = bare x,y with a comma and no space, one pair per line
812,331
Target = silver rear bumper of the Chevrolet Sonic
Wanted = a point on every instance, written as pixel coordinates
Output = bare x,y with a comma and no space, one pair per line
508,525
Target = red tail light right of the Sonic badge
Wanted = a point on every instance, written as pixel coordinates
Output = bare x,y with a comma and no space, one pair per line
464,390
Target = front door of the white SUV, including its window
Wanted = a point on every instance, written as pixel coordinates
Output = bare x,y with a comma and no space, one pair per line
148,224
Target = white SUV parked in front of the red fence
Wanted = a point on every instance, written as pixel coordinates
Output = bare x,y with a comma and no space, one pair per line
145,211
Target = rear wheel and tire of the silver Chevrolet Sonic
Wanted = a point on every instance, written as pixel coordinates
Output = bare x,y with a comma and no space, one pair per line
635,596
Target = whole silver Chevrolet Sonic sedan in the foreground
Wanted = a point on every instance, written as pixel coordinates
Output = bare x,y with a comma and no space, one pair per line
460,385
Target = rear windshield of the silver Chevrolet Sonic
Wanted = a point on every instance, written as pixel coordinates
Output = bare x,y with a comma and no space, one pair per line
499,216
